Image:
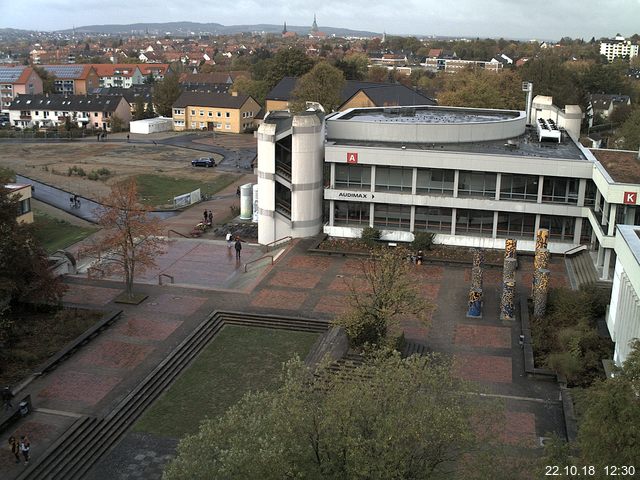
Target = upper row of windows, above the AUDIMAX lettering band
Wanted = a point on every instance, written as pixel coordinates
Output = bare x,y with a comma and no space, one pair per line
470,184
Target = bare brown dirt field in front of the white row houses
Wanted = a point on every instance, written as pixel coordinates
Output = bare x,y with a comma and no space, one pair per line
50,163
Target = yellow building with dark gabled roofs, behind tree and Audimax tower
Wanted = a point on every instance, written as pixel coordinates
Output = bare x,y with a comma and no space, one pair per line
354,94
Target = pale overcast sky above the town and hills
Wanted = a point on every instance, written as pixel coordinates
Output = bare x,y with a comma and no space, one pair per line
524,19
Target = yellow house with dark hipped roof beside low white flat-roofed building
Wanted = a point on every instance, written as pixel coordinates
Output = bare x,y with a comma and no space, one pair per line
221,112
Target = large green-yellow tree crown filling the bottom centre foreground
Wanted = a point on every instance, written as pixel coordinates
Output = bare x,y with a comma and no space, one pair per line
390,418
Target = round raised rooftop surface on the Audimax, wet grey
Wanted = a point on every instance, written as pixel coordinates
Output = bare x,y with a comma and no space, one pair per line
427,115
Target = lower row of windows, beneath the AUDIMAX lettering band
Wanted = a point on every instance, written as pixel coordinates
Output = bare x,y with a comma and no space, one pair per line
439,220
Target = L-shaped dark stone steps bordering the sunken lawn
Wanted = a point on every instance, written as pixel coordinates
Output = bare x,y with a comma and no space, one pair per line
89,438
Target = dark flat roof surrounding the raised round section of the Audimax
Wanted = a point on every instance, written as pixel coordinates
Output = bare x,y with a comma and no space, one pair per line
526,145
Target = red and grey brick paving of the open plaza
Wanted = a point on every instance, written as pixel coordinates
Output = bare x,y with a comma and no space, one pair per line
93,380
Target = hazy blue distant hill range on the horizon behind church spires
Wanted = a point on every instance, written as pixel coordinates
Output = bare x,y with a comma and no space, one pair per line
195,28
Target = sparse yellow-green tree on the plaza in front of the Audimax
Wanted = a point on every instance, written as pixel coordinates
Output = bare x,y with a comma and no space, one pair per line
389,291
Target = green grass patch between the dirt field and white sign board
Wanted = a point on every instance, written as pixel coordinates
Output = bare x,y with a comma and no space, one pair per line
158,190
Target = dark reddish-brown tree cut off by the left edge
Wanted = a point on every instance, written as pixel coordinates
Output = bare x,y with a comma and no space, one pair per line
24,268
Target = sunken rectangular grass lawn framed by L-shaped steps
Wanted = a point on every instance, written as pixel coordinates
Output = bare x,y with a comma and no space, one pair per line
238,360
